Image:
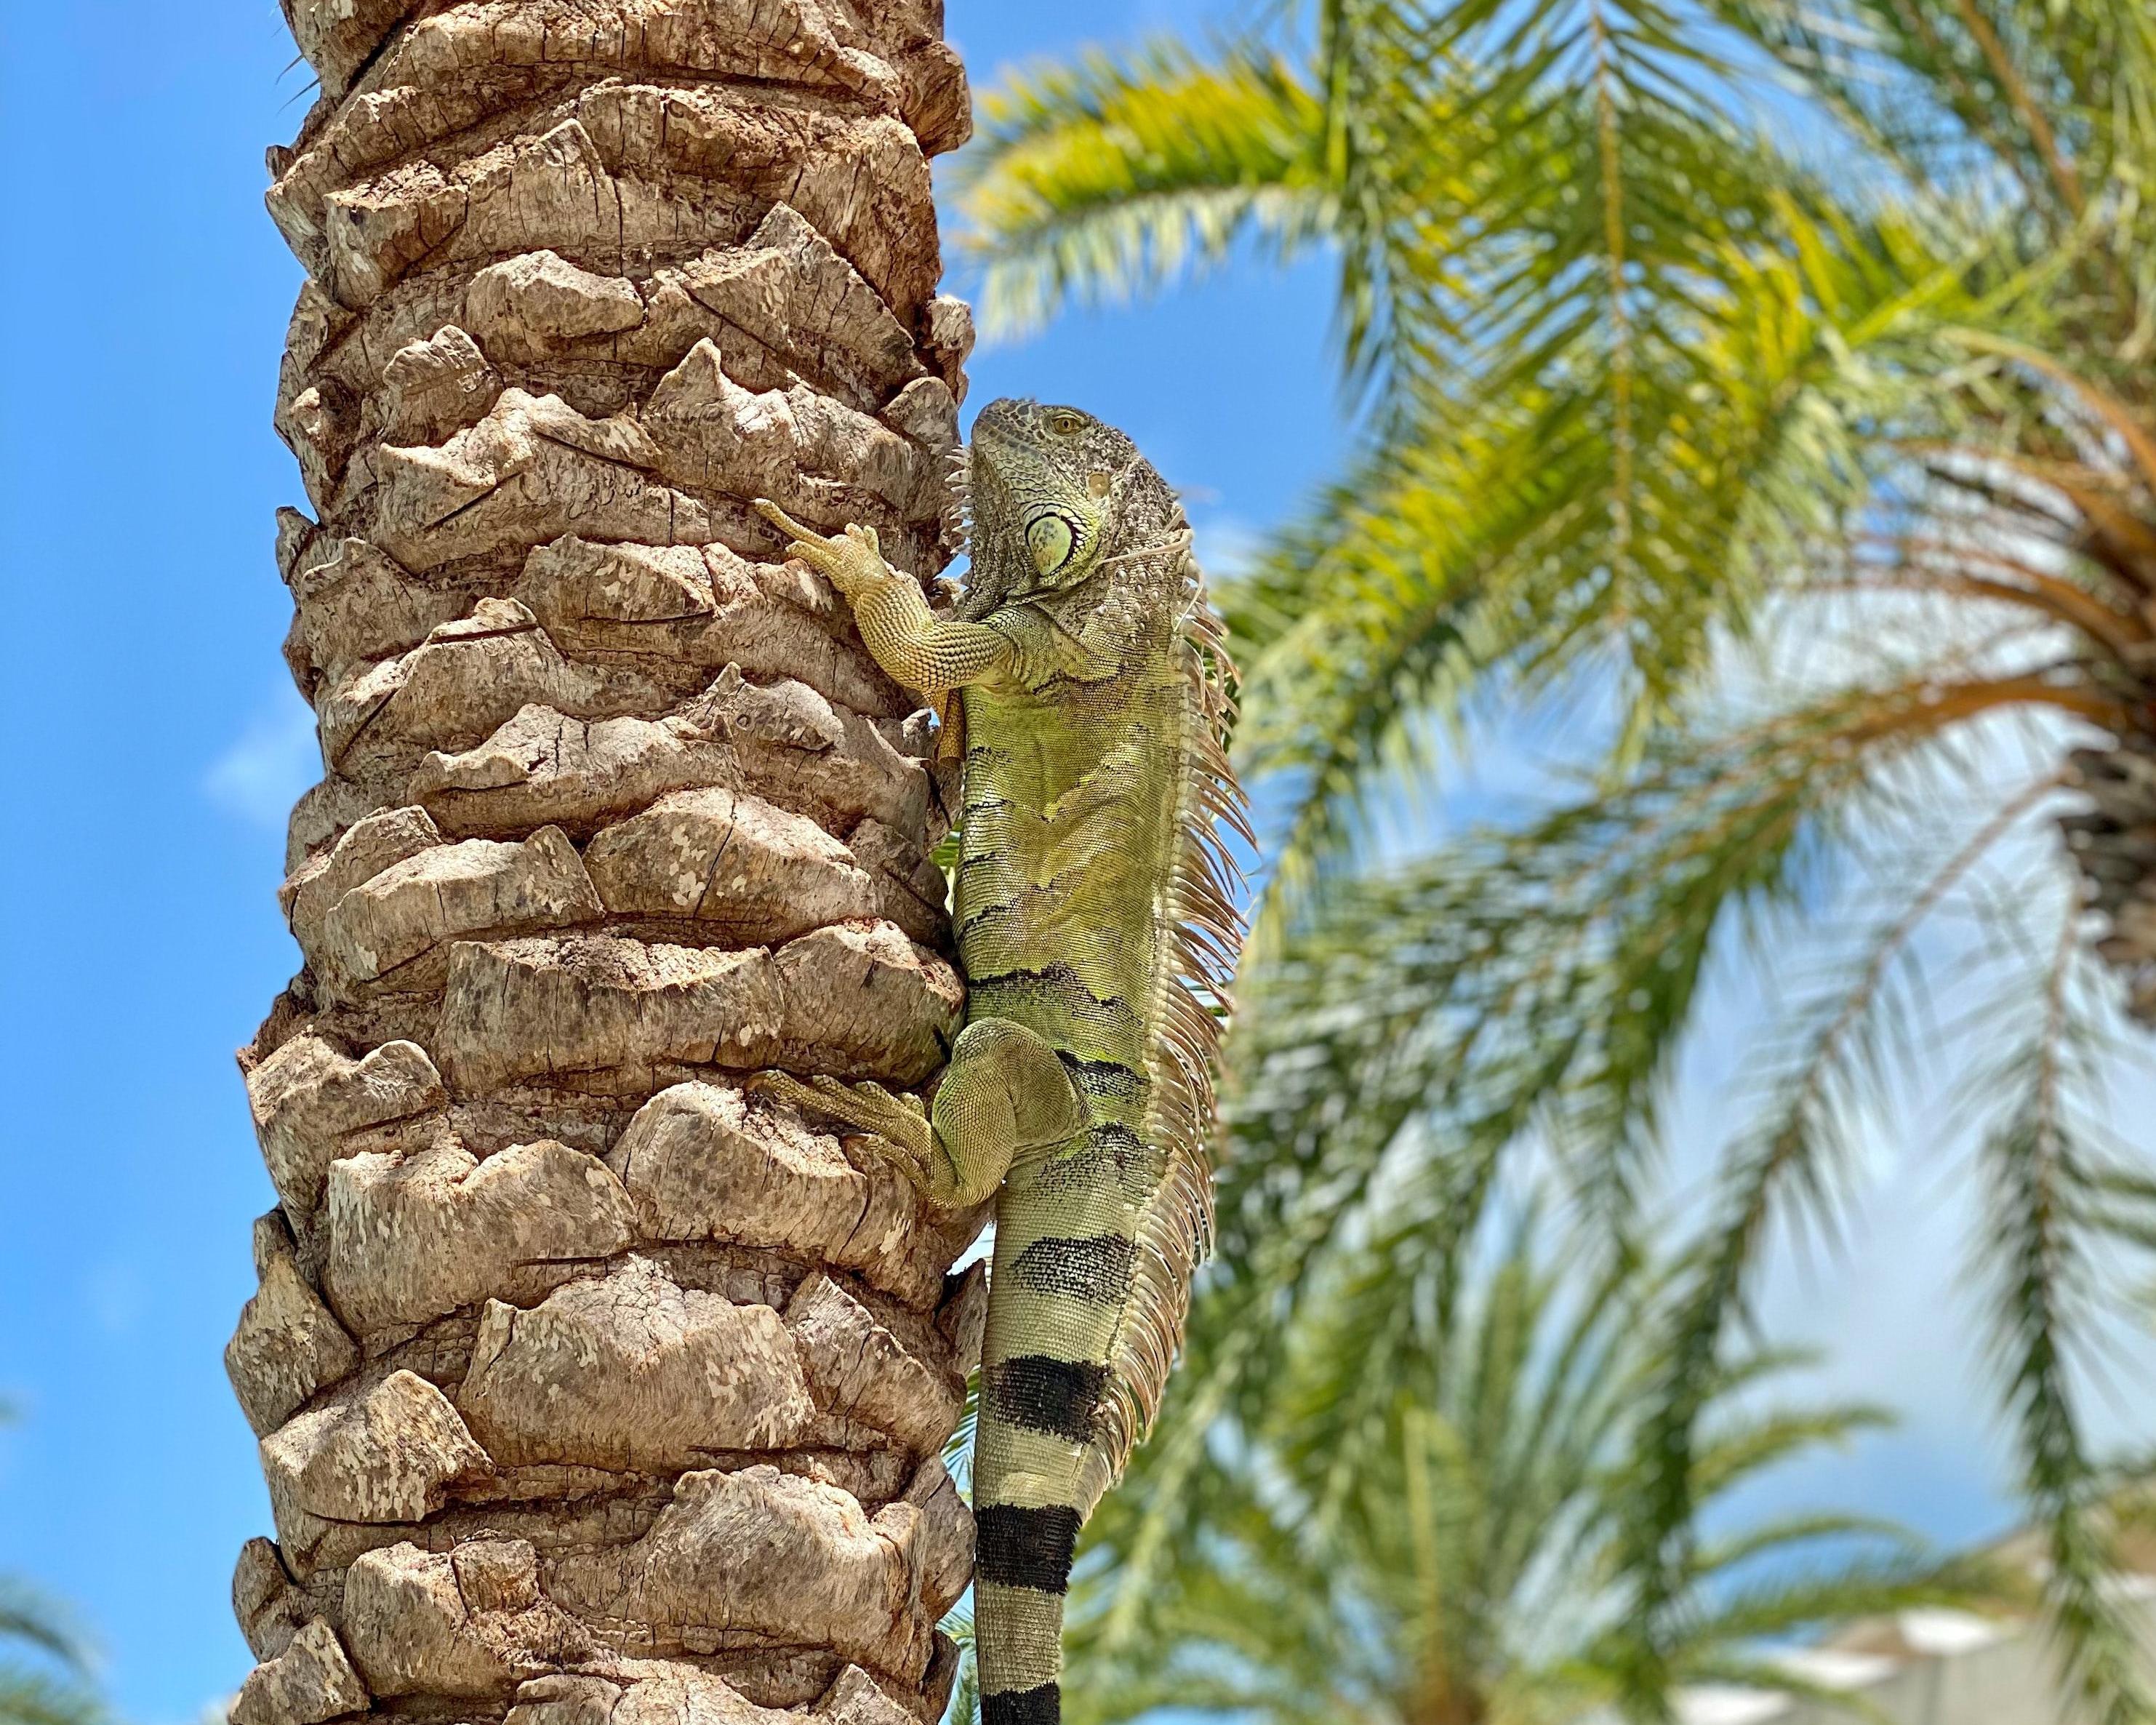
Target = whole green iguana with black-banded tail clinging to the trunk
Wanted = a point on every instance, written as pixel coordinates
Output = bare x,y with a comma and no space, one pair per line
1098,930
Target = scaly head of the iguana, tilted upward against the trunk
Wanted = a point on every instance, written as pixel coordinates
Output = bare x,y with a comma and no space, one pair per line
1051,491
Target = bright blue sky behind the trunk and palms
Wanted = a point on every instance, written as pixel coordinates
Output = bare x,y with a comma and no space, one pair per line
154,745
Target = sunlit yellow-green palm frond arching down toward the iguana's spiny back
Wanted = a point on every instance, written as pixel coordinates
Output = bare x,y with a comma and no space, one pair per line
1478,562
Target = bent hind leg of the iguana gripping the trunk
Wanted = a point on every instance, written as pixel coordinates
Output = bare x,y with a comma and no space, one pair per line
1004,1096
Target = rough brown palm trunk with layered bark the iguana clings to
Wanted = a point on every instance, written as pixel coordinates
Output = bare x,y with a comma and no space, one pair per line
590,1385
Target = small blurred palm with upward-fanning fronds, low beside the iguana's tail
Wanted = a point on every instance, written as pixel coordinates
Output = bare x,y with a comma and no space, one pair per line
1463,1558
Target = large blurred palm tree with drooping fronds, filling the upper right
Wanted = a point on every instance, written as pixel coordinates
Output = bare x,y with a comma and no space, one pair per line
1765,389
